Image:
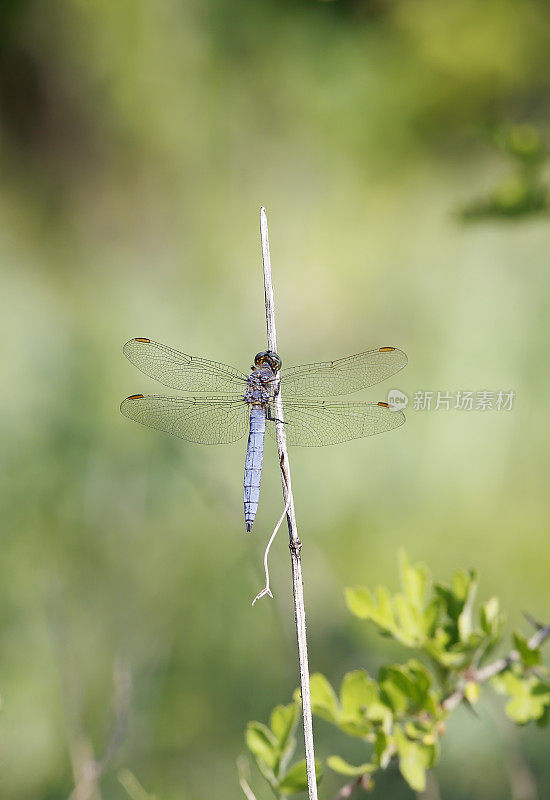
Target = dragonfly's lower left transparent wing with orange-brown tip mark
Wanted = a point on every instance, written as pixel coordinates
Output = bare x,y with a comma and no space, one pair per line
205,420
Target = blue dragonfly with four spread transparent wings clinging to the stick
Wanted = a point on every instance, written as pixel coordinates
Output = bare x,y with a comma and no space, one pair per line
230,403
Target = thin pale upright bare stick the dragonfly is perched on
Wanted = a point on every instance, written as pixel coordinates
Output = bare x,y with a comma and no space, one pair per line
295,543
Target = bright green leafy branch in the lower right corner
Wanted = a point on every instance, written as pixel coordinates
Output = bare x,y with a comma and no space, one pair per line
401,714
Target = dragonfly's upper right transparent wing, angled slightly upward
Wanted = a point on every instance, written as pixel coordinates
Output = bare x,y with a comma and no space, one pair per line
343,376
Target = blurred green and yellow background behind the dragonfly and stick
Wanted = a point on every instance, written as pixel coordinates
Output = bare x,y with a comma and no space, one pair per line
138,141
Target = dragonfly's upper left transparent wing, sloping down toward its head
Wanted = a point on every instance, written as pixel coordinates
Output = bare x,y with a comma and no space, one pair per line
180,371
